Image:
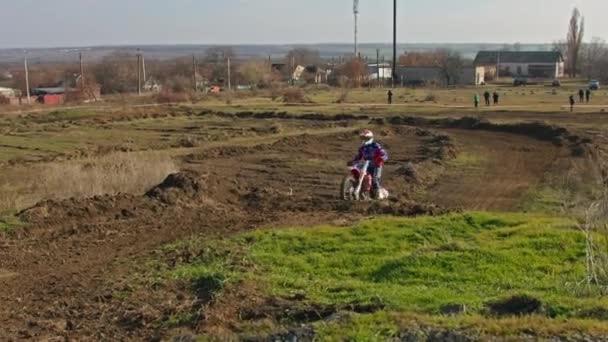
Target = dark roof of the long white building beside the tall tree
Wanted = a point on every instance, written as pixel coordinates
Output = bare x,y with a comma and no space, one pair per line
527,57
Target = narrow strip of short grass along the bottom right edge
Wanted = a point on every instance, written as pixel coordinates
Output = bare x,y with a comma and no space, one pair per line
411,327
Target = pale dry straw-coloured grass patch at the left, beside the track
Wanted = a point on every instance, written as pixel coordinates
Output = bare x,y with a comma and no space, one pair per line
24,186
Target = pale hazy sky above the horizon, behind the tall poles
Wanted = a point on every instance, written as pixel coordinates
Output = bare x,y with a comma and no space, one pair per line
37,23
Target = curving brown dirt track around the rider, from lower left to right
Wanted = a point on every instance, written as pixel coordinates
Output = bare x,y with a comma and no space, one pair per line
61,274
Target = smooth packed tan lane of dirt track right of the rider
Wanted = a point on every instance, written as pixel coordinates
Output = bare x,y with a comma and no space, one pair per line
494,172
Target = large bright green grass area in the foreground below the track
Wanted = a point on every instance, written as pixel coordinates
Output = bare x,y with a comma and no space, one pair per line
413,269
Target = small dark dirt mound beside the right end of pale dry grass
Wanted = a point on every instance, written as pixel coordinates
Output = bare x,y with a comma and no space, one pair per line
178,187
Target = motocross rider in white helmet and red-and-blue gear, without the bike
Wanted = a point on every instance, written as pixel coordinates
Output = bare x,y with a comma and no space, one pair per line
371,151
